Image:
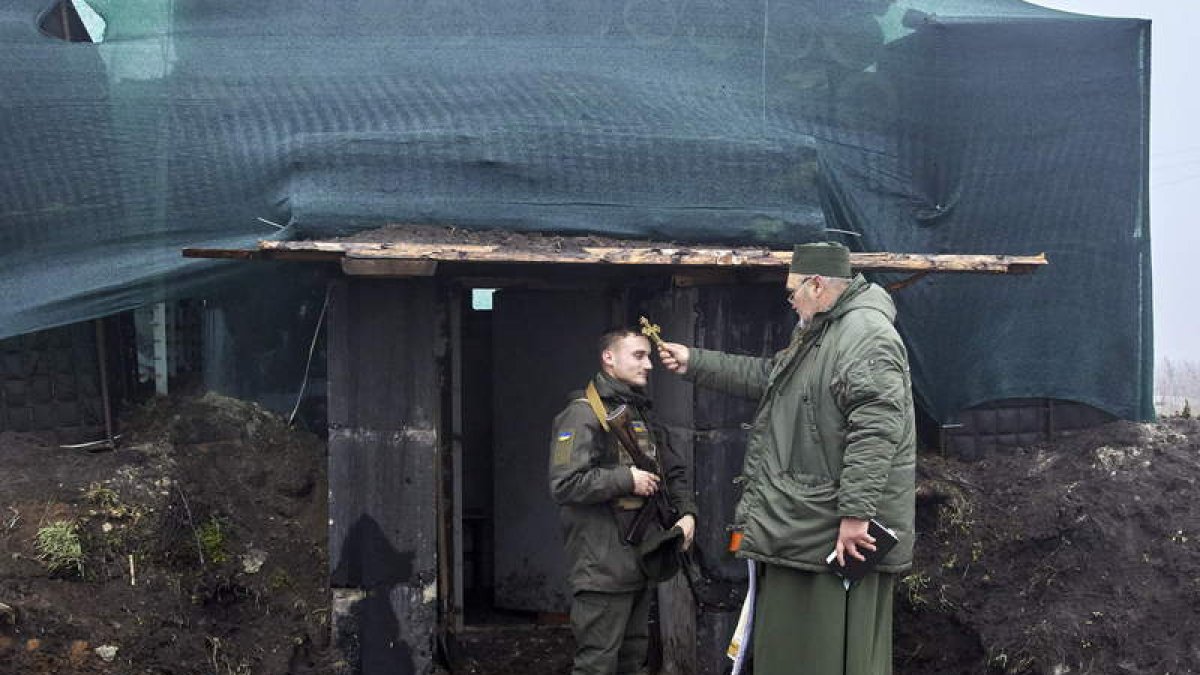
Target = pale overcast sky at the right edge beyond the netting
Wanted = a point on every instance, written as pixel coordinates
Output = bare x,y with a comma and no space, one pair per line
1174,163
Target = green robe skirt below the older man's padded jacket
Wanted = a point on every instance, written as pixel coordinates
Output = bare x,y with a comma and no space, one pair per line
807,624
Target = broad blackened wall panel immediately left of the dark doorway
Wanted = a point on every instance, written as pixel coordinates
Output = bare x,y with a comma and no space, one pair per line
385,421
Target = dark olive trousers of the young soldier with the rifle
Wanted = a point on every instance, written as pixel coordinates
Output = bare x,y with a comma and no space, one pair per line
611,632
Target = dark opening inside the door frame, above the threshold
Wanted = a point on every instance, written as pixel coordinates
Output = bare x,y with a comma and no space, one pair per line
521,355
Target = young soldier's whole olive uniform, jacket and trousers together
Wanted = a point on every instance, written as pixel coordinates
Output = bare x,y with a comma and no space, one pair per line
591,481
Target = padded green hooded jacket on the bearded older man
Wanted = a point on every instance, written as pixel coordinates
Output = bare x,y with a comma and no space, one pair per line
835,434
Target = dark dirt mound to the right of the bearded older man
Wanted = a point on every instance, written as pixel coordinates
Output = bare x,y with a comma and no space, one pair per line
1082,555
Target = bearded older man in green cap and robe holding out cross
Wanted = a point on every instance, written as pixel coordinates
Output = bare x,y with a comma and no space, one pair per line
832,446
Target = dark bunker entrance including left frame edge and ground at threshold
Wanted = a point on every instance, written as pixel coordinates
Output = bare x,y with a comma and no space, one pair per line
518,354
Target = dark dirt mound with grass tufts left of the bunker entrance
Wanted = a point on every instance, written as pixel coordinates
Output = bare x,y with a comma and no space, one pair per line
202,547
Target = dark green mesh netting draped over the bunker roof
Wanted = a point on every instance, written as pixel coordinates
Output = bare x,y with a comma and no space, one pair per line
911,126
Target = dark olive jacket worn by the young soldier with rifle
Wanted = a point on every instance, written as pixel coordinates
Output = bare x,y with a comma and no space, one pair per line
590,479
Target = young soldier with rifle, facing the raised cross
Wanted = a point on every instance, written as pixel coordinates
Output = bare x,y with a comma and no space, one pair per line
597,441
